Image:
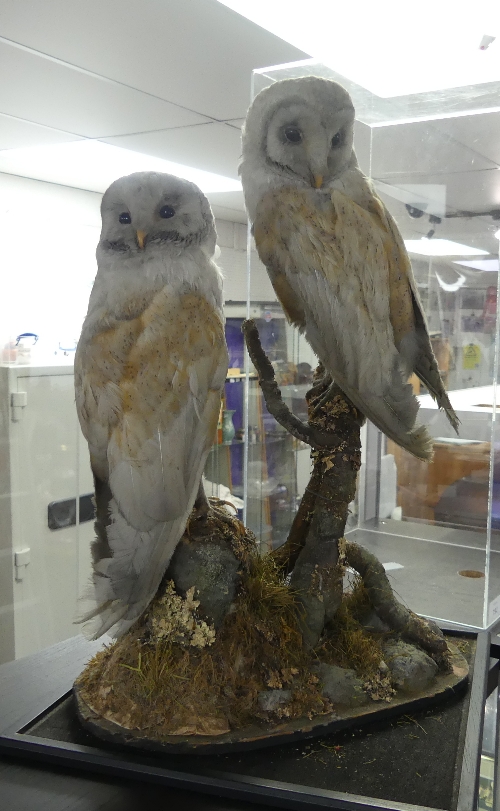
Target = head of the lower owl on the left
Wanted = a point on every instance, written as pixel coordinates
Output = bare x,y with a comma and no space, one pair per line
147,210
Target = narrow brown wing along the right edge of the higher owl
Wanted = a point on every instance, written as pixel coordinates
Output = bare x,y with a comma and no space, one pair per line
415,345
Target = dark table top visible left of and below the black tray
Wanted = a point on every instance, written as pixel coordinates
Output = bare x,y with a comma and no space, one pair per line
35,786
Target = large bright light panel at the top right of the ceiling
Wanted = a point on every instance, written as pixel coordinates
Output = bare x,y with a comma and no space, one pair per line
384,48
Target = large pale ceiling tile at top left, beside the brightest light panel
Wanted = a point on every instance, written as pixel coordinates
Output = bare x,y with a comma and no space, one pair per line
198,54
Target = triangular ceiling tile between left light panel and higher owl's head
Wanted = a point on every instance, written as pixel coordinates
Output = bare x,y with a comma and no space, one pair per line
212,147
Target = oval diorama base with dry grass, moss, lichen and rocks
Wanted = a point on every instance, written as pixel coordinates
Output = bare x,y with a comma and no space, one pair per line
221,666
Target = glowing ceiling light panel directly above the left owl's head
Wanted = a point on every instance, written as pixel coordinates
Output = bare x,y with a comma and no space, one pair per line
93,165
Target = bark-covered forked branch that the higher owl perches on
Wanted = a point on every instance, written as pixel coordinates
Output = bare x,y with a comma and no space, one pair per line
316,552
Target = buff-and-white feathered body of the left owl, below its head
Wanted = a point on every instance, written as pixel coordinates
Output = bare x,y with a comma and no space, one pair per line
150,425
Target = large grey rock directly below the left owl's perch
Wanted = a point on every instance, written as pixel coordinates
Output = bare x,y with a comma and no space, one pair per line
214,571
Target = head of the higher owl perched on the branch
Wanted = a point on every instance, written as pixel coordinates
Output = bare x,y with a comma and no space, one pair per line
300,130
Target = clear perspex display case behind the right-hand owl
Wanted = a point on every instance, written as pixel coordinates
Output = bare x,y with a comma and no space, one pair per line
433,158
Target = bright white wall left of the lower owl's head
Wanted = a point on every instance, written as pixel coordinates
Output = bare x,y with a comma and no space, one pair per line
48,235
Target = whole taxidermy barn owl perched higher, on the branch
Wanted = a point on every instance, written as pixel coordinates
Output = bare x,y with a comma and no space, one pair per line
334,254
